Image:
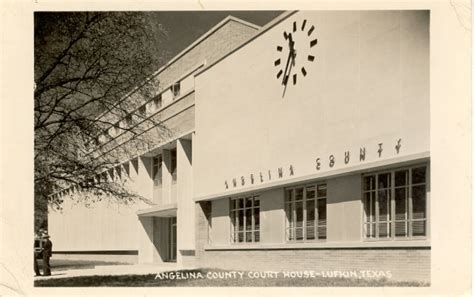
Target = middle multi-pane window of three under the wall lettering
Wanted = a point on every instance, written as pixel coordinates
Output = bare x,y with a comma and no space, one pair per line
305,209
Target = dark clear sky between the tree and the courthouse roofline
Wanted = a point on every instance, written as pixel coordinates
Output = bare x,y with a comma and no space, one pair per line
185,27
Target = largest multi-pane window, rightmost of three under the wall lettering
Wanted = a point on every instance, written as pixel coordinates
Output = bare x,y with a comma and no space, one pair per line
395,203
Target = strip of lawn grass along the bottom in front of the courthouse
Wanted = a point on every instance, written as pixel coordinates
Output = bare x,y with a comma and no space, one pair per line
150,280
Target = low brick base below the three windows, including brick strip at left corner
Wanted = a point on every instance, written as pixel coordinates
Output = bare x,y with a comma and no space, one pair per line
403,263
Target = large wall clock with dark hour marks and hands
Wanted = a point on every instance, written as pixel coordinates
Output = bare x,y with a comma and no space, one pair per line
295,52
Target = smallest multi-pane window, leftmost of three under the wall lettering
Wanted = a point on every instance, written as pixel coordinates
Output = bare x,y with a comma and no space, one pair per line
245,217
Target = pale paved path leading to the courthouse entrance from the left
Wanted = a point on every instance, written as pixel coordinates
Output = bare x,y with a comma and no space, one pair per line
137,269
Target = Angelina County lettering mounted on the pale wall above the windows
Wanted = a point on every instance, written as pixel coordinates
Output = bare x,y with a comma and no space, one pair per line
289,171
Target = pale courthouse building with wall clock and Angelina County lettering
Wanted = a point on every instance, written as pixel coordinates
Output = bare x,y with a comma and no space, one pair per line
300,145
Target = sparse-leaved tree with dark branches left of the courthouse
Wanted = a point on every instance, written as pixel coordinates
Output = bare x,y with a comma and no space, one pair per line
91,68
